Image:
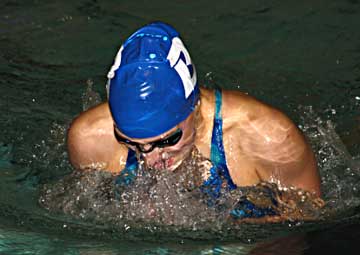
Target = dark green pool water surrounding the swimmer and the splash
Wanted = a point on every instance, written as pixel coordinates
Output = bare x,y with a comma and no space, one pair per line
301,56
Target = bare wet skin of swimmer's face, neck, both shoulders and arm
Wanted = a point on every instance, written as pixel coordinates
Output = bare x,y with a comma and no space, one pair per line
261,143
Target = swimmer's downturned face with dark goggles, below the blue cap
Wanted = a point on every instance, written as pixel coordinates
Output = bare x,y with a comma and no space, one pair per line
180,138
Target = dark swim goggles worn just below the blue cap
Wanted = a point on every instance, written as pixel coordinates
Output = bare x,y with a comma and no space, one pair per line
169,140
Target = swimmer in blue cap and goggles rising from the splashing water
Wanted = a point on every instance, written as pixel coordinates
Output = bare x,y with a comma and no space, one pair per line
157,113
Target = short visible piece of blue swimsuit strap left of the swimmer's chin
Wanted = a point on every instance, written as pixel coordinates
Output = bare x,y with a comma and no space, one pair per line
128,174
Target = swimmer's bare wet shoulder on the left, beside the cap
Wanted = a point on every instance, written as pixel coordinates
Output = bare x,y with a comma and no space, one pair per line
91,142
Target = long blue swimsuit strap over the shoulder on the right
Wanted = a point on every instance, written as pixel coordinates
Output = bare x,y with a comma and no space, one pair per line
219,171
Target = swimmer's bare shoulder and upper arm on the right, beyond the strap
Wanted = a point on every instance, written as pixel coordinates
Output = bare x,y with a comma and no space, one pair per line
271,140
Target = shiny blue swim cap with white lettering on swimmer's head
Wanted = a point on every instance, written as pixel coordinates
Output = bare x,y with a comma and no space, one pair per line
152,85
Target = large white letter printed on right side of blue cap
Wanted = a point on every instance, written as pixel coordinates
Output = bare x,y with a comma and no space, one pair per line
177,47
